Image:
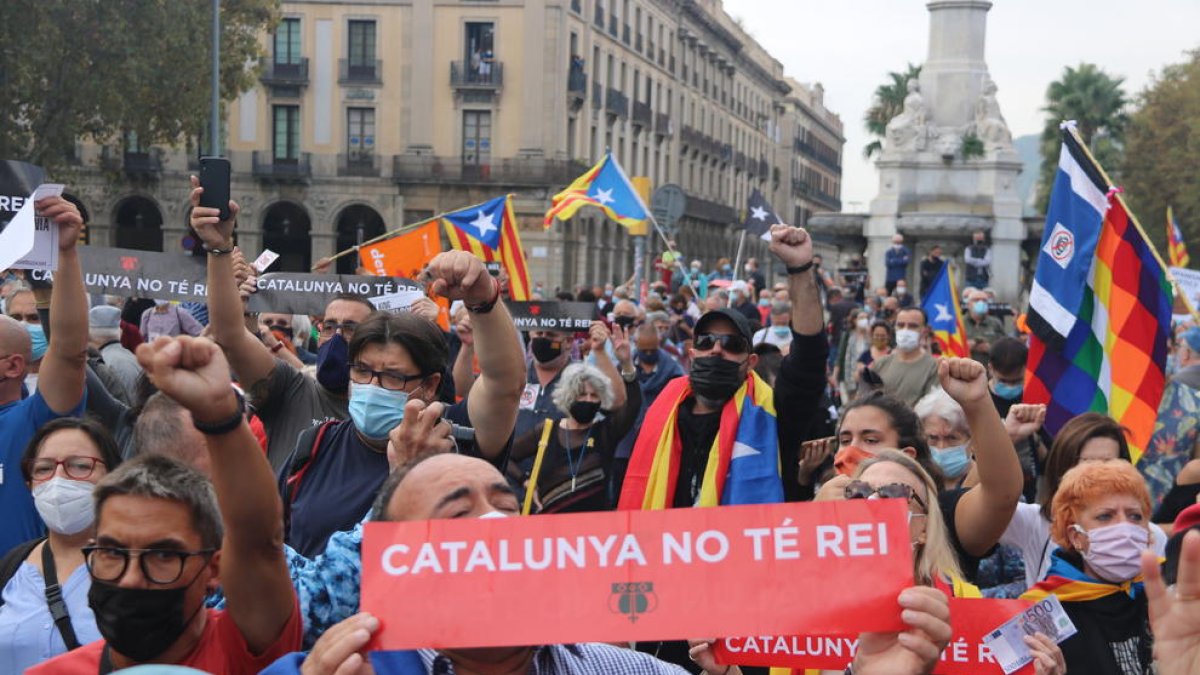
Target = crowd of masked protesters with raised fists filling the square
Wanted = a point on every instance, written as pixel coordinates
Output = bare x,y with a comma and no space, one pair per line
188,483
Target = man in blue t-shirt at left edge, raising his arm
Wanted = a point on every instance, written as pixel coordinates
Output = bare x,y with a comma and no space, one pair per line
62,391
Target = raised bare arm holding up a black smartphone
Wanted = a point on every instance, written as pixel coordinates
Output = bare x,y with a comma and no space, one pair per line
250,359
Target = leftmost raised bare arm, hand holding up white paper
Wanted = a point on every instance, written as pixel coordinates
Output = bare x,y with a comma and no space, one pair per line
62,378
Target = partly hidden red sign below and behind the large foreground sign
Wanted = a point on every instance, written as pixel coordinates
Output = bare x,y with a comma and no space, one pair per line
971,620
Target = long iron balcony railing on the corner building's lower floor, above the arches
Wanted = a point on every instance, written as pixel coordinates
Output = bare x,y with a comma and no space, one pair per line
519,172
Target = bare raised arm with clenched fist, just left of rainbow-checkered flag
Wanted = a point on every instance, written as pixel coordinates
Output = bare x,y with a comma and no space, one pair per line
985,511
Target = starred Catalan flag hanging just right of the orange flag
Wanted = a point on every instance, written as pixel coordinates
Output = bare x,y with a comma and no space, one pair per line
490,232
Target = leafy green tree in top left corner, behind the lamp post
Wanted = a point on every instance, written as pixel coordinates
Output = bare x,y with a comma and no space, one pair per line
99,69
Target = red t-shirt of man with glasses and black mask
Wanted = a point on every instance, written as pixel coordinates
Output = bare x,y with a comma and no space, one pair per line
221,650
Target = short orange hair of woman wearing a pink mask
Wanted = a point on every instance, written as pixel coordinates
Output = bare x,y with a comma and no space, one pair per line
1087,483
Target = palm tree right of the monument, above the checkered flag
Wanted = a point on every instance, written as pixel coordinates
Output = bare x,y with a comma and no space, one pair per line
1097,103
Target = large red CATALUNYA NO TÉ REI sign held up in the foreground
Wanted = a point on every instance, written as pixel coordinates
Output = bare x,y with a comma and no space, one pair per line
638,576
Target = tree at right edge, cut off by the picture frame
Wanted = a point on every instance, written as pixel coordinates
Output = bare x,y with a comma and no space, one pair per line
1163,152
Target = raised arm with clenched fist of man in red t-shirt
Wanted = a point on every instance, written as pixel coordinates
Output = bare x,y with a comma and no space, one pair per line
254,574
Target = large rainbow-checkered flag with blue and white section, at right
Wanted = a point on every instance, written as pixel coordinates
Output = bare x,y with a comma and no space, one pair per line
1101,306
